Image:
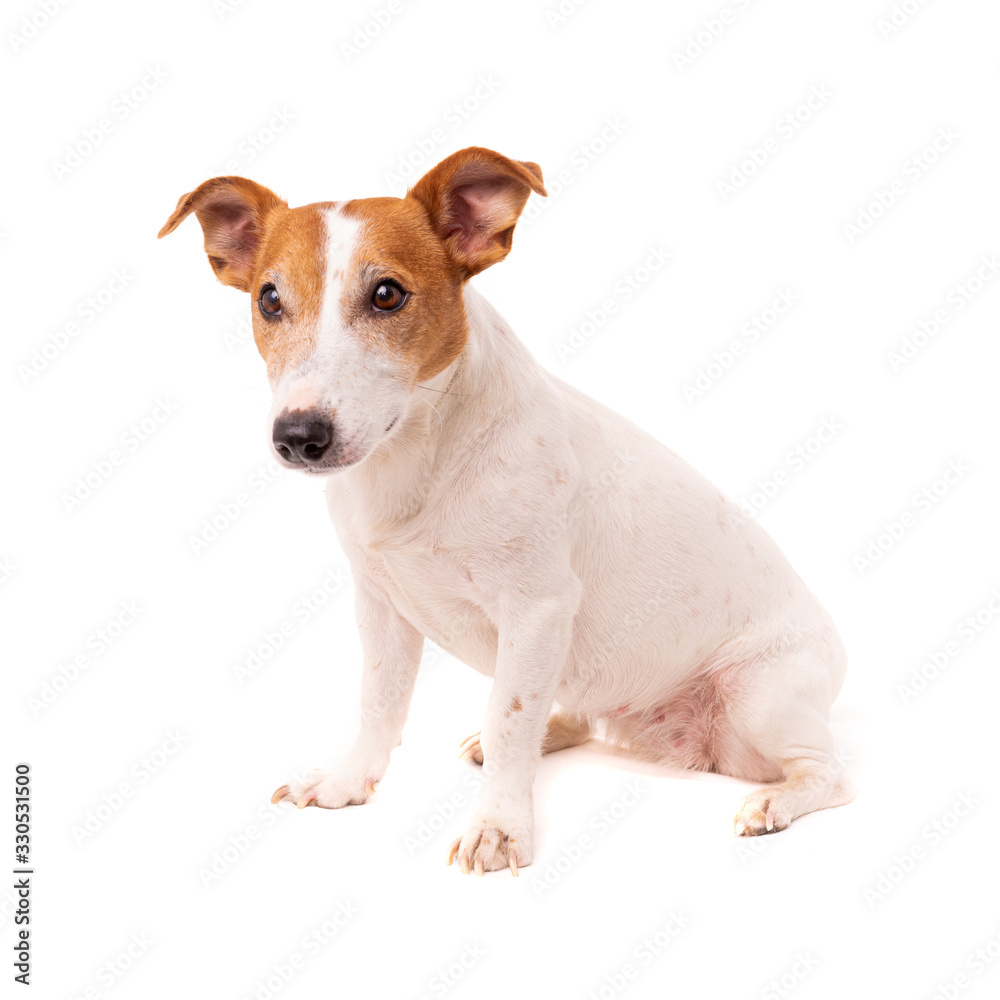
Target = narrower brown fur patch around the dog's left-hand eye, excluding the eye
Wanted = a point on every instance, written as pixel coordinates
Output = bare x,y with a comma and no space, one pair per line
293,259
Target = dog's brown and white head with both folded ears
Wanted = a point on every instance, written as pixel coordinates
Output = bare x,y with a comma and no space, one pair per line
356,303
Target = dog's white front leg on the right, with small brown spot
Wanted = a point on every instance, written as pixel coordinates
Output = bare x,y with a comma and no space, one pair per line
533,642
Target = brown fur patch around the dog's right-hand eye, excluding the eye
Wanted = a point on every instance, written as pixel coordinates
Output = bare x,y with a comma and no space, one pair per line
397,242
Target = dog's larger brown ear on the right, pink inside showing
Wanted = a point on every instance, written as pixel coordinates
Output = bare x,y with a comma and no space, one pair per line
474,198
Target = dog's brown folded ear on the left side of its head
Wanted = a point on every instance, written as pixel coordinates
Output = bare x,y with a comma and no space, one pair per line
232,212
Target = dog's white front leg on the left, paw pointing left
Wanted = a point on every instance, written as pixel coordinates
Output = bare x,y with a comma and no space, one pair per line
391,656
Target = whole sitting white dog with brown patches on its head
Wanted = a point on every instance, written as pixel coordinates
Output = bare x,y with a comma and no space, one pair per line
605,586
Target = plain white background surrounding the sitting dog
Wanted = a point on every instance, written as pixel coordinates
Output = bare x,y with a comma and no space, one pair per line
891,896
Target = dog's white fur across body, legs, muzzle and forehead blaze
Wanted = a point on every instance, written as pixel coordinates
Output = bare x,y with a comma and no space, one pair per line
551,544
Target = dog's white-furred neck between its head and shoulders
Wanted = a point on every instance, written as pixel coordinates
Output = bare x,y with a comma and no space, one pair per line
451,419
